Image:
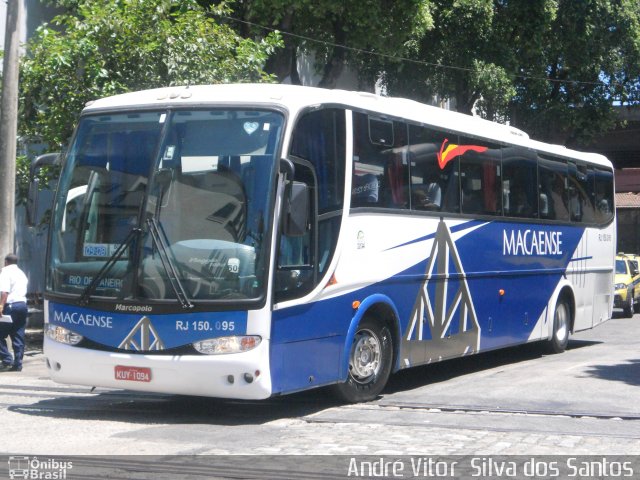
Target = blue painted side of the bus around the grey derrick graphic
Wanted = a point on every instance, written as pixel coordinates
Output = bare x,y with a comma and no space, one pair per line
310,341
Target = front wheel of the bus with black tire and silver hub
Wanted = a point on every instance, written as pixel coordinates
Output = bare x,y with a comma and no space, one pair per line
370,361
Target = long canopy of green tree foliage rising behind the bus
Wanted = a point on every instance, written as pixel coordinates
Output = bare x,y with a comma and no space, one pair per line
552,67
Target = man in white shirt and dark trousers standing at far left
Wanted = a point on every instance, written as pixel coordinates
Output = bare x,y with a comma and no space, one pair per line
13,302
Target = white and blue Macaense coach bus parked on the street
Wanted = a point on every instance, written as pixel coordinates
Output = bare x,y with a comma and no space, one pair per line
245,241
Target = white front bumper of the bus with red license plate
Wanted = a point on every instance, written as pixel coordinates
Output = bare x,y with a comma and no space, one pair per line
242,375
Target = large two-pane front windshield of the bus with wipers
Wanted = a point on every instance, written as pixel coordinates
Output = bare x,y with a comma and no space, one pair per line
162,205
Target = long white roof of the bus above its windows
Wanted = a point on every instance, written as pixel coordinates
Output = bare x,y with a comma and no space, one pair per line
295,98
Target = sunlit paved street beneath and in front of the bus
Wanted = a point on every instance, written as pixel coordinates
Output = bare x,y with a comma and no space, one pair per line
516,401
